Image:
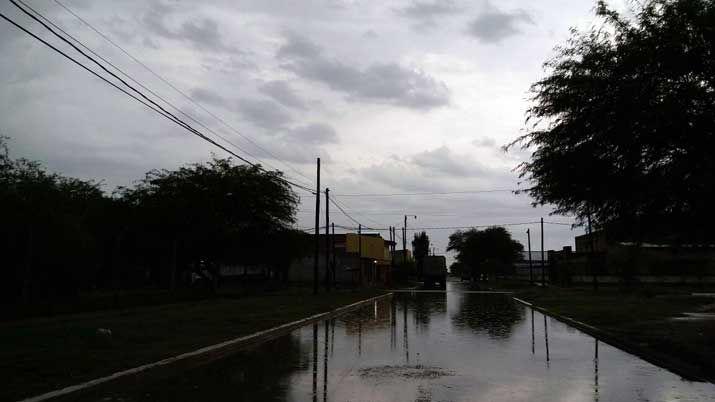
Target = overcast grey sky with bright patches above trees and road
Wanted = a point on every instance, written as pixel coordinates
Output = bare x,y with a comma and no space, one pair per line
395,97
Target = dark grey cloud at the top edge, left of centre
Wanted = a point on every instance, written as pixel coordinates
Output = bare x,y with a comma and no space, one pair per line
202,33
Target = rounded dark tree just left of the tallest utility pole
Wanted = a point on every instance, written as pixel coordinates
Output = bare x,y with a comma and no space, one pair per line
213,213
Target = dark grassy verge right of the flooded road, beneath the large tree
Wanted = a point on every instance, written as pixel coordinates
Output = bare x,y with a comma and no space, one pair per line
642,319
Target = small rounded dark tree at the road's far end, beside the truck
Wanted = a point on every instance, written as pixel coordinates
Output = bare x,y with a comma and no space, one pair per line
485,252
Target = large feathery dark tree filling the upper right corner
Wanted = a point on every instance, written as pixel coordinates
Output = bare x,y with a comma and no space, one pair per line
624,124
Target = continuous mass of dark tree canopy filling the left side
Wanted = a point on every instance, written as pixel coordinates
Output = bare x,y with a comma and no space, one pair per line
60,236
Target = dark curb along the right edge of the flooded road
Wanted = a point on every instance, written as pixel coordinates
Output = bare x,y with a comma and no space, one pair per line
686,372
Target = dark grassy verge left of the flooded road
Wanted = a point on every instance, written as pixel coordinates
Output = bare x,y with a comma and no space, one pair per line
40,355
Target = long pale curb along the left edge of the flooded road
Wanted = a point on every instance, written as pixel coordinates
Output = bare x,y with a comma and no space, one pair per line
214,351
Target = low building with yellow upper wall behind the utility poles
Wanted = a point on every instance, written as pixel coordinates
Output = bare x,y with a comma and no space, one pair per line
353,260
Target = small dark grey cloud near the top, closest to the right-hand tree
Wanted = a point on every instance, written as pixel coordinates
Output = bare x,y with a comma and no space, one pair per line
493,25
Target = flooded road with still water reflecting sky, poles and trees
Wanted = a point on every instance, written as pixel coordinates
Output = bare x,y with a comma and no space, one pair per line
451,346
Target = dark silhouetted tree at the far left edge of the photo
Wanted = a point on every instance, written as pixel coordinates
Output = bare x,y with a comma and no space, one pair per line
48,236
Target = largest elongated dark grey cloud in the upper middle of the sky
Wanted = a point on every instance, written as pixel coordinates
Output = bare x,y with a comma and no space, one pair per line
387,83
